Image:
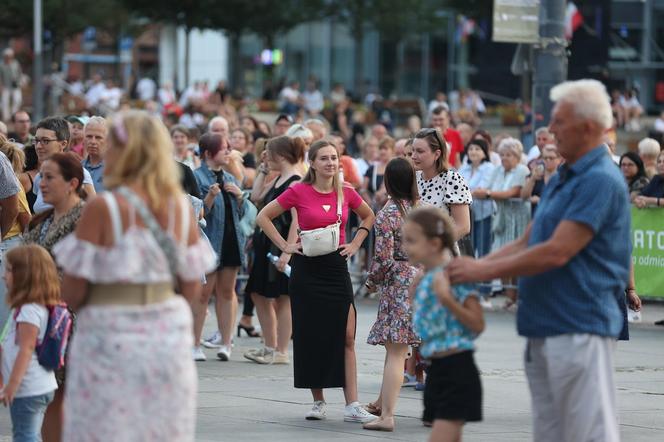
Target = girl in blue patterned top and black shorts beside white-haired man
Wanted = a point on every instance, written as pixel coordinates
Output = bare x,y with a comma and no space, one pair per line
447,319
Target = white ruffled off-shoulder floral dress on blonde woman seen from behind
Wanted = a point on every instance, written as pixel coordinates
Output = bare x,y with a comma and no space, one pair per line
130,376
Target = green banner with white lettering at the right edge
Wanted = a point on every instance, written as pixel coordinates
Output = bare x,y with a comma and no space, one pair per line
648,251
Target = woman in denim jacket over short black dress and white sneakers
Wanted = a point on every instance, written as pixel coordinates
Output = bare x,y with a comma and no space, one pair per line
224,206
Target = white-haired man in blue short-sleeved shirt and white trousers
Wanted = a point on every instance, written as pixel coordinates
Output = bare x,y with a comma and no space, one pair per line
574,265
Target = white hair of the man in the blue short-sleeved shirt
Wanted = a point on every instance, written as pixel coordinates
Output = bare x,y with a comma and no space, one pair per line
589,99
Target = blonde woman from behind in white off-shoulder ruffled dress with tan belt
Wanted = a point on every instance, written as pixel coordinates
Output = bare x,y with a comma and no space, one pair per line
120,266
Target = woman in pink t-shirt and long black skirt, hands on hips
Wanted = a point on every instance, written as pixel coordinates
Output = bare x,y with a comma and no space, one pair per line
320,288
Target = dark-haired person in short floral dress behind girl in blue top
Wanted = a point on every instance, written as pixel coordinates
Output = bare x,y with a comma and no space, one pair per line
391,275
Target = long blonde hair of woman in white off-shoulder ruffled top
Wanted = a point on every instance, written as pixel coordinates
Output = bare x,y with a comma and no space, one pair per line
146,157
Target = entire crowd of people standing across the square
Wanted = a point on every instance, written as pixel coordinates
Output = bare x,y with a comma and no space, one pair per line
138,222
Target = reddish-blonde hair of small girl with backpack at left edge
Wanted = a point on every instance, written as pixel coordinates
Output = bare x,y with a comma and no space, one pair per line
34,277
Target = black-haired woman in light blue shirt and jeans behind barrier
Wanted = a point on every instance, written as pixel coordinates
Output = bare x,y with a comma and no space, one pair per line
477,172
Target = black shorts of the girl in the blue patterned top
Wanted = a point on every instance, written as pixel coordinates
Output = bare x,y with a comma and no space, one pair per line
453,389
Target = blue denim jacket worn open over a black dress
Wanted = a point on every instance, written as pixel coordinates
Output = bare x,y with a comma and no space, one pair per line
215,217
